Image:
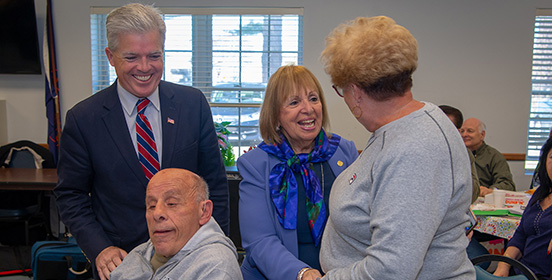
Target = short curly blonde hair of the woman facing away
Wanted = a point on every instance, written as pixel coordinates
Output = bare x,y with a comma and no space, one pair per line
376,54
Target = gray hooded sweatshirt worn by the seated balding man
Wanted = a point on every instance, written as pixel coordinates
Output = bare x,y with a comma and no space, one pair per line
209,254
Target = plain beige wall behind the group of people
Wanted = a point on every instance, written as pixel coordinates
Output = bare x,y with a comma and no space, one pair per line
474,55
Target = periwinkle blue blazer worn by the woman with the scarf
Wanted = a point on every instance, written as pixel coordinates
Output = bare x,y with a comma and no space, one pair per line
272,251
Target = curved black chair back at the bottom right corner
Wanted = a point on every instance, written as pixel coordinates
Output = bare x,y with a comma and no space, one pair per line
482,274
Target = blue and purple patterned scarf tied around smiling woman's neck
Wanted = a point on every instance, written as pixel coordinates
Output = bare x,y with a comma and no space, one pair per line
283,186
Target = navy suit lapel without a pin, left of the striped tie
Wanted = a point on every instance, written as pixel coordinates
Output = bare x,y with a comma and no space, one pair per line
115,122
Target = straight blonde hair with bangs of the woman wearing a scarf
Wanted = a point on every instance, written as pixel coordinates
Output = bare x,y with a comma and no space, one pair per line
285,82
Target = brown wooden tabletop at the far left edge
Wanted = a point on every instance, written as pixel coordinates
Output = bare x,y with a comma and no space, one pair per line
28,179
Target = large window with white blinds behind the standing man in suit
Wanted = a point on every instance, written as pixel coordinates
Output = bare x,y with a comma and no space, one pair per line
227,53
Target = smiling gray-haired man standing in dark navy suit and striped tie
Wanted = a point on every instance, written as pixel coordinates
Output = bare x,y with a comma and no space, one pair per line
102,175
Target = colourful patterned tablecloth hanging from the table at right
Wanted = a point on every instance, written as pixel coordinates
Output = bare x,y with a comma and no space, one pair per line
501,226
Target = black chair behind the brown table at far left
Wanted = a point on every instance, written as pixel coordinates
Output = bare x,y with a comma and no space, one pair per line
24,206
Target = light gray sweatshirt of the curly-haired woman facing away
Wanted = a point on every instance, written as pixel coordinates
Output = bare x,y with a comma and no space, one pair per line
399,211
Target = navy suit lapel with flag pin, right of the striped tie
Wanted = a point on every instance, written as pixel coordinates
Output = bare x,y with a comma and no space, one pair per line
169,121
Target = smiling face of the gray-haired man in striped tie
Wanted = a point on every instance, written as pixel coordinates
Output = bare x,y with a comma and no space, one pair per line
138,62
